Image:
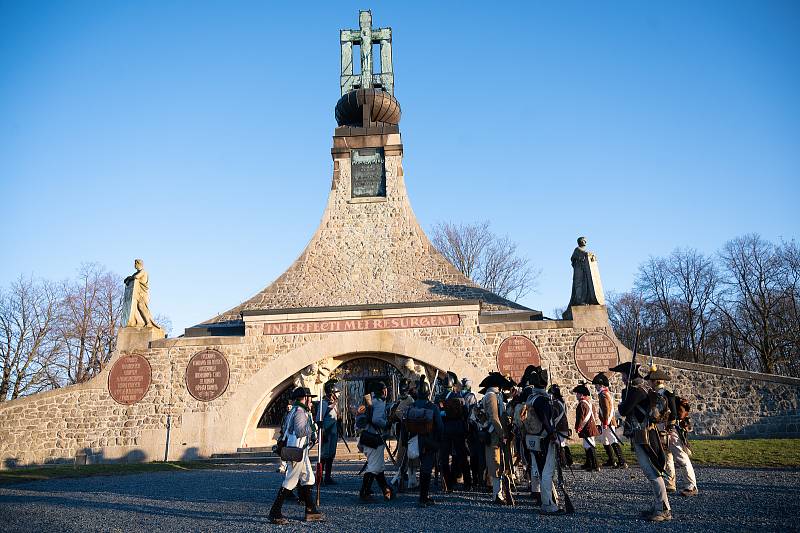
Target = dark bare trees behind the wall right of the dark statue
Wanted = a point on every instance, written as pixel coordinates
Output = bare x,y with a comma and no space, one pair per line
738,307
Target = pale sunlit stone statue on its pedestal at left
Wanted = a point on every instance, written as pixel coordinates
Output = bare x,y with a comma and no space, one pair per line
138,327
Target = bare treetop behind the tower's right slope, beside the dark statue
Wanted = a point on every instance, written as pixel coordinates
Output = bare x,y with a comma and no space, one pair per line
489,260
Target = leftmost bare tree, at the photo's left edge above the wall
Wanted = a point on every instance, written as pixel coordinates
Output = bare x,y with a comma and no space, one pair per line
28,312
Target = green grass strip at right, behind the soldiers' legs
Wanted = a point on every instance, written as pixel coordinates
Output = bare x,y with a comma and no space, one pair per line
742,453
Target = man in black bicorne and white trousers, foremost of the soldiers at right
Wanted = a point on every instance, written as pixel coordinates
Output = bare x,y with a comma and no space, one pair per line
635,407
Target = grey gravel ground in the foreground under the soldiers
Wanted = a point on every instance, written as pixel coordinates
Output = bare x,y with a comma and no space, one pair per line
238,498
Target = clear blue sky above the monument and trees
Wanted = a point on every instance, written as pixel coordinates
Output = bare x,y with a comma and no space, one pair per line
197,135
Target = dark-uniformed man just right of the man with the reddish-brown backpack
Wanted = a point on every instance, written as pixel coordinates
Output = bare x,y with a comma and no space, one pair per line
454,438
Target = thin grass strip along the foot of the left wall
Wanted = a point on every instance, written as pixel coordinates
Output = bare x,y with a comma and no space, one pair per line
36,473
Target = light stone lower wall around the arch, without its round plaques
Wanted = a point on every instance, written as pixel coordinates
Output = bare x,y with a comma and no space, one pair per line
58,425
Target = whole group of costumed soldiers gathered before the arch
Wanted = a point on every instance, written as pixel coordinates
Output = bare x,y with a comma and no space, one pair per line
515,433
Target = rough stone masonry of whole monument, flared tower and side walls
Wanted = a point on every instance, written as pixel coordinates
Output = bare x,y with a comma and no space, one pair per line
369,283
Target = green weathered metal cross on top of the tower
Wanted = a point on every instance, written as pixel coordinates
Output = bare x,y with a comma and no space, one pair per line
365,37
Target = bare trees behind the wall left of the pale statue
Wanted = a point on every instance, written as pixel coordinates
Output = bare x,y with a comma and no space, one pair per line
54,334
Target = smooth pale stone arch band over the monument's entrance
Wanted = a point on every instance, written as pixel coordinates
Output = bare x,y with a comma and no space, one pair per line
233,424
